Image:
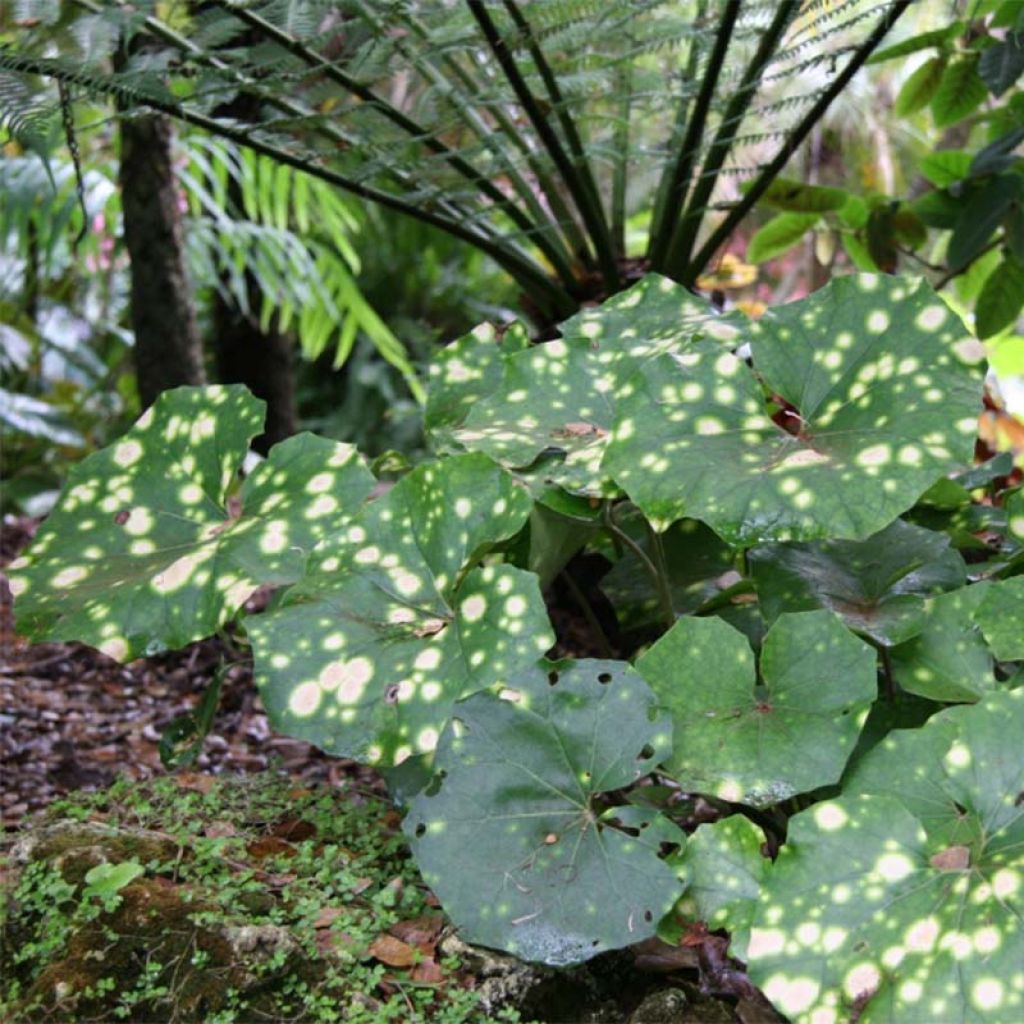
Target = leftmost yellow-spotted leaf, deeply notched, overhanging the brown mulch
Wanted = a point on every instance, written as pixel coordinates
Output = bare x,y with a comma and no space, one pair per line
145,553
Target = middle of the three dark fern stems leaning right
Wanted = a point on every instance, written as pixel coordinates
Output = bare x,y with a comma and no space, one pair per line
677,261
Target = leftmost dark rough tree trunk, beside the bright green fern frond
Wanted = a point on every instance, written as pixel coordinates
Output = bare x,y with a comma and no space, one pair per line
168,351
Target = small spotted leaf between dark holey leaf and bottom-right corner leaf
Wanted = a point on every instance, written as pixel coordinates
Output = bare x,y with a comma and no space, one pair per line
724,866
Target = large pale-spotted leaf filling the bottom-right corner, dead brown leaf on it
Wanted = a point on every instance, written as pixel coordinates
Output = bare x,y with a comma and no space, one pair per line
905,901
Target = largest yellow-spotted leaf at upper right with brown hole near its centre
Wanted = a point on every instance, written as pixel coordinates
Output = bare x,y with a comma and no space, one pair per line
885,409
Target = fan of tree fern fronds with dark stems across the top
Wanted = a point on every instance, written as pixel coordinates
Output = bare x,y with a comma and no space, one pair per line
527,129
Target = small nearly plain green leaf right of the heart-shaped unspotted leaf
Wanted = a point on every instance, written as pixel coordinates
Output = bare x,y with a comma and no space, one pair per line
948,661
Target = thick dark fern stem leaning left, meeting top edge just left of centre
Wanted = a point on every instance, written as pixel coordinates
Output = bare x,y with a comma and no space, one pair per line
593,217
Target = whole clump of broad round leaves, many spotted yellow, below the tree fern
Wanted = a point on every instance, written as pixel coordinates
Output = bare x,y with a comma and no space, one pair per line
809,610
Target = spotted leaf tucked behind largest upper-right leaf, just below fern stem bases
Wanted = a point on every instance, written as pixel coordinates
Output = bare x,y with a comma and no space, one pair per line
561,397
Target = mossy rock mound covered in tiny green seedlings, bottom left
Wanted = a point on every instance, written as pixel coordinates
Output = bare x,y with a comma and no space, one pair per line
260,902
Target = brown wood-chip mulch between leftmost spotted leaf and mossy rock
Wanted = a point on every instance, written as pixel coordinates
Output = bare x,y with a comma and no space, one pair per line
73,719
